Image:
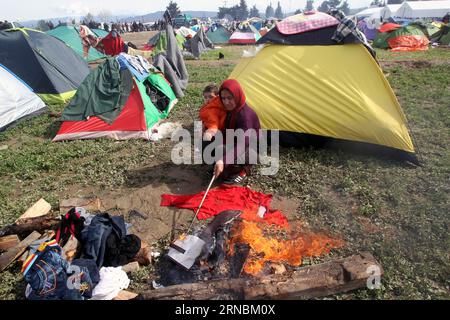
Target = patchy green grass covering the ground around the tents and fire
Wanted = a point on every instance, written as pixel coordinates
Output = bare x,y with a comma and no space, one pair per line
396,211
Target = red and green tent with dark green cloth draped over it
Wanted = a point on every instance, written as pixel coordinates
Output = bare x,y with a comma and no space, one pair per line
112,103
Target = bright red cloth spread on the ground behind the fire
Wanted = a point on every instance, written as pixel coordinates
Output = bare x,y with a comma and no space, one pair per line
226,197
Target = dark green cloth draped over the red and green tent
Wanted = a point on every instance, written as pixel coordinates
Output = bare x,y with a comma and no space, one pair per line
102,94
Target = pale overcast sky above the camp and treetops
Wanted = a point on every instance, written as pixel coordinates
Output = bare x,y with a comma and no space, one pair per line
21,10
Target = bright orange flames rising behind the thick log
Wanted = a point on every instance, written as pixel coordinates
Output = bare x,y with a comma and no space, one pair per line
278,245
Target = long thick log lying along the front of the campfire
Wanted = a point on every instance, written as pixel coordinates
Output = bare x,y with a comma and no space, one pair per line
313,281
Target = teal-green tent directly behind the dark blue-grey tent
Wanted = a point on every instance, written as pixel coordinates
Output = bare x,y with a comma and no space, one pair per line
70,36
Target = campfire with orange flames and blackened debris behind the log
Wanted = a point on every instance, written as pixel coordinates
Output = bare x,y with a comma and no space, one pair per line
244,245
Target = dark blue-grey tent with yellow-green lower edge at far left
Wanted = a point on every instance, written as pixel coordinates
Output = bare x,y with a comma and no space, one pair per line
46,64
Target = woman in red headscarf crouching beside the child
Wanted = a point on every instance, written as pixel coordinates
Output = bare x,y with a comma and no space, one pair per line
236,115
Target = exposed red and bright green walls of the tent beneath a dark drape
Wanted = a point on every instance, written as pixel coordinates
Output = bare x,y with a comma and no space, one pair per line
136,118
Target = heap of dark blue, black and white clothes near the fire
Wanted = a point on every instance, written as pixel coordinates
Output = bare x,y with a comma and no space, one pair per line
96,274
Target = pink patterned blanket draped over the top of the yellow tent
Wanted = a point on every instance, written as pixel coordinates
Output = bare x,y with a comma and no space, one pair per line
304,22
